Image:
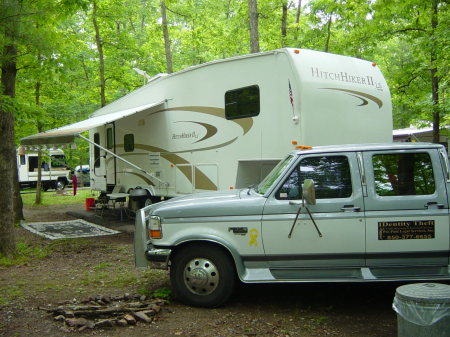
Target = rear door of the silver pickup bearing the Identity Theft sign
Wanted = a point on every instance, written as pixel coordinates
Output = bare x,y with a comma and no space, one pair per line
406,208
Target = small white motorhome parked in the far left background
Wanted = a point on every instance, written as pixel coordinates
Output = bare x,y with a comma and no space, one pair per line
54,172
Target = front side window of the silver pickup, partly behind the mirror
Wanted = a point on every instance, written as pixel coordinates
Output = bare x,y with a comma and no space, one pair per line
331,176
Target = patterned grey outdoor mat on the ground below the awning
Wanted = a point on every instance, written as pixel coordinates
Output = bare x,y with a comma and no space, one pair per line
67,229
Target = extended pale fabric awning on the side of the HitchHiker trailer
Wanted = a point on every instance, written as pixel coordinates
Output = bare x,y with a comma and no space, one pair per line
66,134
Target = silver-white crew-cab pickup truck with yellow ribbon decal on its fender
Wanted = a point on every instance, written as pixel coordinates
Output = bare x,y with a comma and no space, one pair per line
341,213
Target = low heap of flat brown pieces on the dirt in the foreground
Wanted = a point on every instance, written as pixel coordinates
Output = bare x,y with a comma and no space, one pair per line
104,311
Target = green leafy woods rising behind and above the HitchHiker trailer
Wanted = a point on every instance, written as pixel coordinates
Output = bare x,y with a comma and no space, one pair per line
63,59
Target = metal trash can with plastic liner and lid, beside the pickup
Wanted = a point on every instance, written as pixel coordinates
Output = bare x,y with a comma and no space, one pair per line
423,310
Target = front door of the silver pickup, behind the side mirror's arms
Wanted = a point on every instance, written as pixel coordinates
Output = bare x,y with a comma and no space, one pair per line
338,213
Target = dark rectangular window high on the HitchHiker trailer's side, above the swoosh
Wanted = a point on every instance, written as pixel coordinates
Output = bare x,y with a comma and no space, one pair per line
242,102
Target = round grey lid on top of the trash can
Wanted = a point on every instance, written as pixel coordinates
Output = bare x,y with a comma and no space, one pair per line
425,292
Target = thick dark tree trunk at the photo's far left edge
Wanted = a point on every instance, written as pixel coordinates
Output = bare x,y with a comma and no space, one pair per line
8,163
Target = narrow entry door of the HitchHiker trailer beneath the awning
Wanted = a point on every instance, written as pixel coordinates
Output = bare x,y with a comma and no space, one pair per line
98,167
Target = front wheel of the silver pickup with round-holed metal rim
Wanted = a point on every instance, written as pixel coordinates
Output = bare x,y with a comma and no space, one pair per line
202,276
